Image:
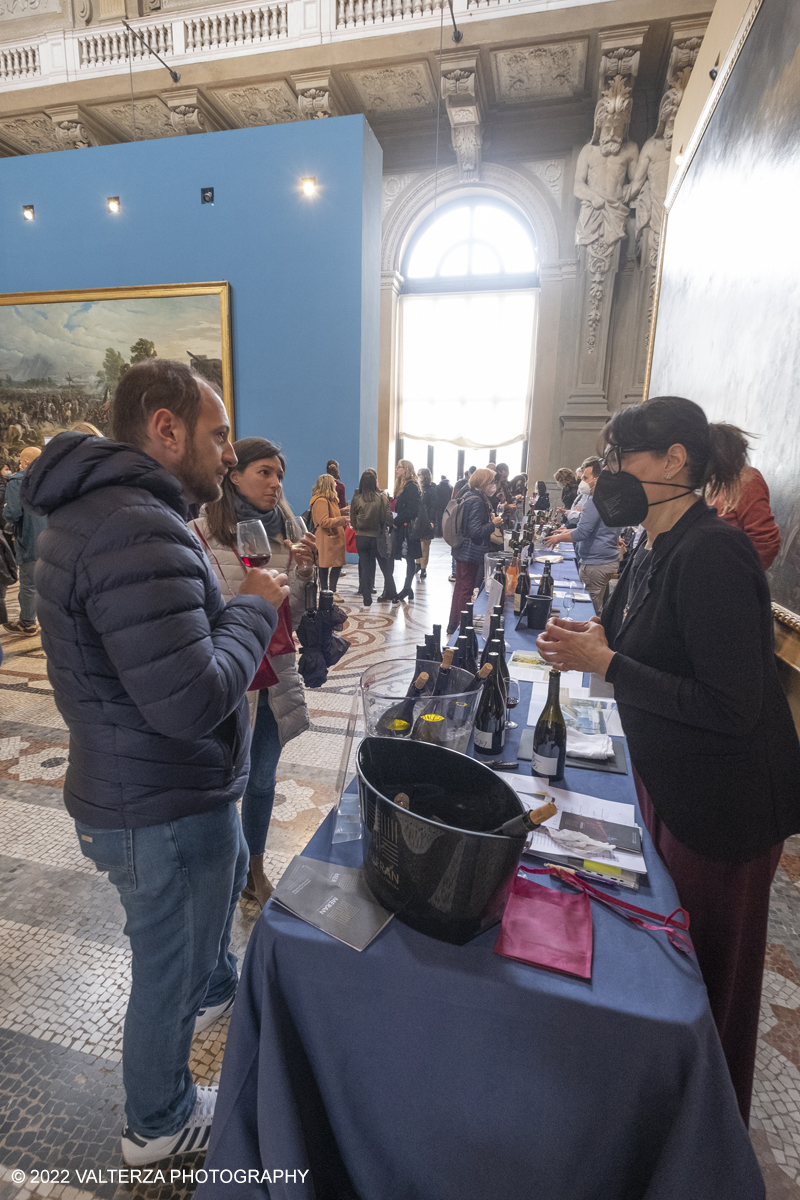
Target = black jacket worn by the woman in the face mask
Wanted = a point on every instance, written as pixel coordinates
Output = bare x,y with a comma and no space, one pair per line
708,725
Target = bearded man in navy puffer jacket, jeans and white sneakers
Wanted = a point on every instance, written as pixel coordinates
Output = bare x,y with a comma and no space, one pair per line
149,670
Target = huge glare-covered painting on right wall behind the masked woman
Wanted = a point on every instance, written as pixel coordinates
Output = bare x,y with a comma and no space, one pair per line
729,325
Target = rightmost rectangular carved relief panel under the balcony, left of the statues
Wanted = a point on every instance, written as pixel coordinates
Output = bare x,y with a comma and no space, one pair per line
540,73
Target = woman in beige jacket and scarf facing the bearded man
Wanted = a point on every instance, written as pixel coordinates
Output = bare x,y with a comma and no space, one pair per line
252,523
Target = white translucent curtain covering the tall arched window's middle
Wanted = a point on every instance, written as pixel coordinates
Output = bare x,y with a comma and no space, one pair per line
466,368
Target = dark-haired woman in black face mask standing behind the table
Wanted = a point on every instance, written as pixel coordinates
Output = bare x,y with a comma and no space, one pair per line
687,639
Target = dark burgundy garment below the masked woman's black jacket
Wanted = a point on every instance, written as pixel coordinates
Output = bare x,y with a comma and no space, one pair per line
729,905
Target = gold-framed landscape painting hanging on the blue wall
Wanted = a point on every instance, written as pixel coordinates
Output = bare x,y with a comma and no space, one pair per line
63,353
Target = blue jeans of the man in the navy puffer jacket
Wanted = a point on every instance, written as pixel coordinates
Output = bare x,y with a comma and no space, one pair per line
179,884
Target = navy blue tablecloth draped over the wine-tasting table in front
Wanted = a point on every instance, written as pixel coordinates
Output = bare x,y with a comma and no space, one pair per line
419,1071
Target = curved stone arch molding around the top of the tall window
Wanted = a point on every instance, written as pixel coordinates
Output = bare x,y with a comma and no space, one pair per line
416,202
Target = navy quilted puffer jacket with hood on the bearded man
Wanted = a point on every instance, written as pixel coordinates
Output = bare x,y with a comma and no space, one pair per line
148,664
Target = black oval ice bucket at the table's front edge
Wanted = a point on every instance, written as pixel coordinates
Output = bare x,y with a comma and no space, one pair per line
435,863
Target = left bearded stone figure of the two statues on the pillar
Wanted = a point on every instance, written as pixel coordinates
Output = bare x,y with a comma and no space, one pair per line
603,184
